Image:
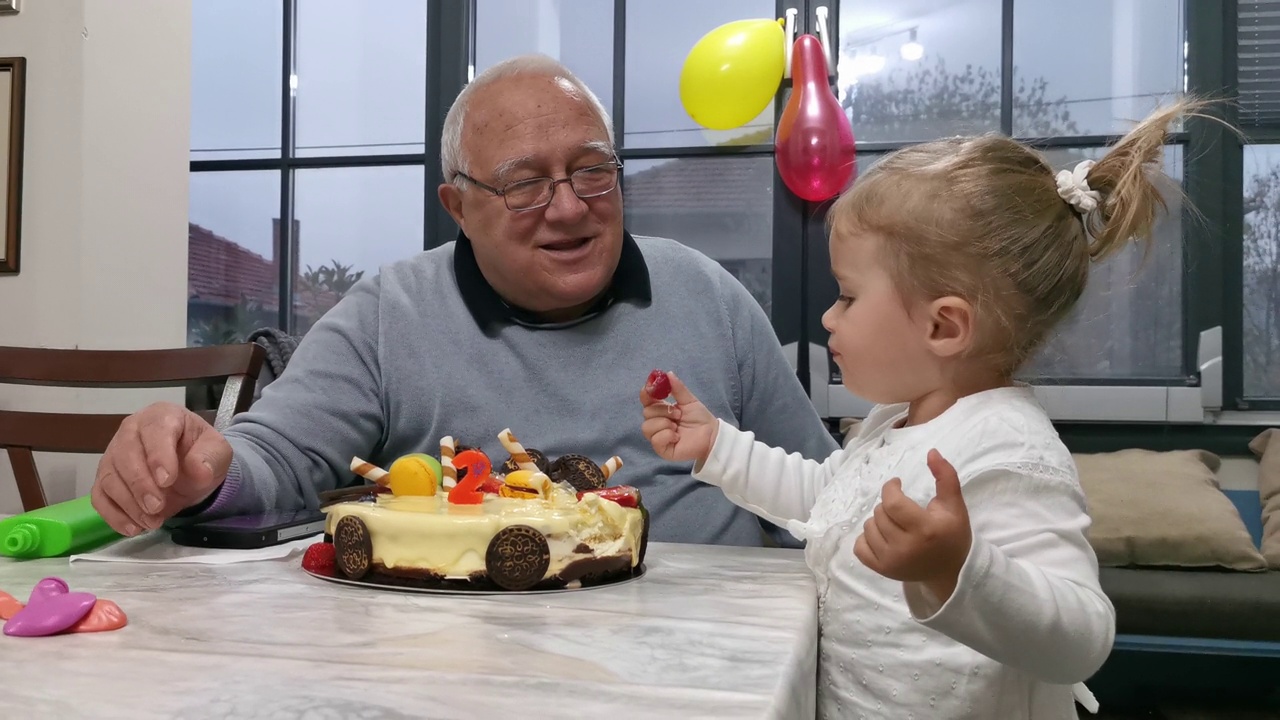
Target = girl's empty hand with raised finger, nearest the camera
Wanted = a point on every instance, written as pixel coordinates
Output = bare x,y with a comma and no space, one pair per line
920,545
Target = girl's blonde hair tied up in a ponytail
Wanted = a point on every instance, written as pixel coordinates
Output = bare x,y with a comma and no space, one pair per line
981,218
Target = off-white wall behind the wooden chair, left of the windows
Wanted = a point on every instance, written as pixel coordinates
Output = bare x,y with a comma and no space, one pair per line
104,225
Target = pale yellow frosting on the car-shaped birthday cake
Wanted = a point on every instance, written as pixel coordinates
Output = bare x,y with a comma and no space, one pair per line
429,534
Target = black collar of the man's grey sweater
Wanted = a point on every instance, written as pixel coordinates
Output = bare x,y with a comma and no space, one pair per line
491,312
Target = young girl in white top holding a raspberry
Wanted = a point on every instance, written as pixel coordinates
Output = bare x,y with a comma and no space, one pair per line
949,537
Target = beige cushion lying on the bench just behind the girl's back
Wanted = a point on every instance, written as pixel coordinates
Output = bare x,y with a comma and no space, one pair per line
1164,509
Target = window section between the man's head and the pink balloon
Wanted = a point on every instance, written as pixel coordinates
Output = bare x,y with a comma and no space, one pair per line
683,181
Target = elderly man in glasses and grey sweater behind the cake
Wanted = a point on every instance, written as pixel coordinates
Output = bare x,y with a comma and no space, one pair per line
545,316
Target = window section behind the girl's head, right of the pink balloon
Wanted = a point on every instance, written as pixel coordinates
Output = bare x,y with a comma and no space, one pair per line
912,72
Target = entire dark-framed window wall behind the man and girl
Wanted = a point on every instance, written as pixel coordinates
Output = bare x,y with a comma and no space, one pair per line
316,158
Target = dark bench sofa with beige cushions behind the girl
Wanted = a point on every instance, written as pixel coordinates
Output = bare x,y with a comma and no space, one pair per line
1194,572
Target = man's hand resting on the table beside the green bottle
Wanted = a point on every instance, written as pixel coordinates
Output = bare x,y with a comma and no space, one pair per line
163,461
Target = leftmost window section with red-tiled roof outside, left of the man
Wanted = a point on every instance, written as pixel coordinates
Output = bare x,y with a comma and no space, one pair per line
309,122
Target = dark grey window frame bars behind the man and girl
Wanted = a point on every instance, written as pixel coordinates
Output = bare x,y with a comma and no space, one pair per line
1212,390
